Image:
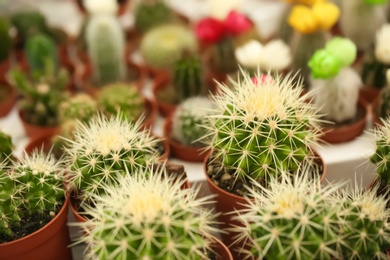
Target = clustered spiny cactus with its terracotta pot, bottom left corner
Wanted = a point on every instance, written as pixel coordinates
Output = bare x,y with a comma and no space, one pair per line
34,209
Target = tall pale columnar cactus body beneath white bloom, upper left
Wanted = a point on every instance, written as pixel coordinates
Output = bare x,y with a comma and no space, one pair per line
106,47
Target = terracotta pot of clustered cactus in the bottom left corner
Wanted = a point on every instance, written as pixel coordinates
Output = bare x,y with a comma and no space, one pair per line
49,242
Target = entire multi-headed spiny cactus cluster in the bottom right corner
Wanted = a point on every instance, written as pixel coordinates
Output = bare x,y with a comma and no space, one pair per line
301,219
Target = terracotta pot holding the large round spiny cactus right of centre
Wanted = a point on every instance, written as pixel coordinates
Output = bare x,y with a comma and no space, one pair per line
227,203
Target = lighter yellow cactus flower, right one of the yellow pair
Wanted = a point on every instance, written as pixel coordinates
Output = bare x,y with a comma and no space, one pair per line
327,14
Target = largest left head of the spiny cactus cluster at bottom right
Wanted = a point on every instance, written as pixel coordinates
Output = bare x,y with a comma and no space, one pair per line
291,219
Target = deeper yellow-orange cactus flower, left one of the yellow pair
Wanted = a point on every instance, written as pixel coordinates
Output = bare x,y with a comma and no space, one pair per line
303,19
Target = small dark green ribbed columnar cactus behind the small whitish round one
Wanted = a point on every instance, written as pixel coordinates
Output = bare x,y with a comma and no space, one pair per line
188,78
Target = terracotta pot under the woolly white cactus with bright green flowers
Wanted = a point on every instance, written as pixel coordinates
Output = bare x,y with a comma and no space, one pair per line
338,134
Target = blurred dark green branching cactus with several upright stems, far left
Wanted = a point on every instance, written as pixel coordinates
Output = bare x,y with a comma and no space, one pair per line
42,93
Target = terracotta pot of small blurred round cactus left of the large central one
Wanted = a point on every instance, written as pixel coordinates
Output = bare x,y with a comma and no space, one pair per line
181,151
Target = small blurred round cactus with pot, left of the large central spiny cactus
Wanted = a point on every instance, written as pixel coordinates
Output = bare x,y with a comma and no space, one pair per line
186,126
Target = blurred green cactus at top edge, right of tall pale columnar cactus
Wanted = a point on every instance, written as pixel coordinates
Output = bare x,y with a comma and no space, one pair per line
149,14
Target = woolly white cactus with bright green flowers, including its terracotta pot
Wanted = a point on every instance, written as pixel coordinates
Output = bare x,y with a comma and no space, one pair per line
335,90
